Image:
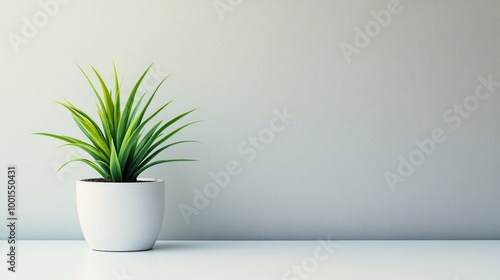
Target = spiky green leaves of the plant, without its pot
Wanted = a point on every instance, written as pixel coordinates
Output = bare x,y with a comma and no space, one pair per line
122,147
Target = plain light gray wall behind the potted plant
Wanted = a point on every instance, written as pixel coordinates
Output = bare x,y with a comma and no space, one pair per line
358,104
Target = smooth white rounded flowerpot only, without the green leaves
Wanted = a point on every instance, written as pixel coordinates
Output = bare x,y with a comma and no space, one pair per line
121,216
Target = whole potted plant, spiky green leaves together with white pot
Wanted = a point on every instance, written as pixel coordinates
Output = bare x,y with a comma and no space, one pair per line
119,211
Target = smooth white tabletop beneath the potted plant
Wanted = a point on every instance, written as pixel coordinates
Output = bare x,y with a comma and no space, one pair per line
293,260
